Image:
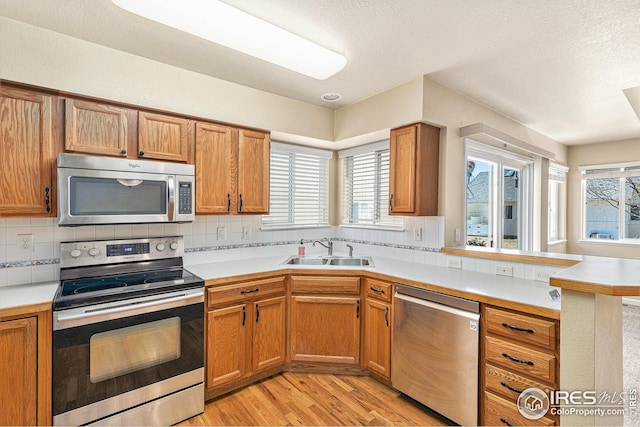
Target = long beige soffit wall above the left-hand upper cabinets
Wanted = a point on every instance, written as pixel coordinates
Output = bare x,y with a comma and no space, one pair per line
44,58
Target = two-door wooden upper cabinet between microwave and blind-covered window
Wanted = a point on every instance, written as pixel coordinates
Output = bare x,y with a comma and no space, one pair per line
232,170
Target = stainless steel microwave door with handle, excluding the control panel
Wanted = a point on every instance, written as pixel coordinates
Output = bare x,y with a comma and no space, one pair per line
111,197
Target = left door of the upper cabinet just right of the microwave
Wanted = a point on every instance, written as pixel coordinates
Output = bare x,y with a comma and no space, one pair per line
216,169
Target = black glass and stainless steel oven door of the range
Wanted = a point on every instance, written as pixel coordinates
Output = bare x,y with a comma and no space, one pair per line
110,358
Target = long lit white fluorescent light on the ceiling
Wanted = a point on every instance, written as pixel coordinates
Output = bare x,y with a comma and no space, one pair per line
220,23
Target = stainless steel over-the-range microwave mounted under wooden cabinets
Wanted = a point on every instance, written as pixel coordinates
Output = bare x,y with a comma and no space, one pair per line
101,190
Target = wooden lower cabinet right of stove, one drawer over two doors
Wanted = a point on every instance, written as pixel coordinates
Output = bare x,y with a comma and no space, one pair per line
246,331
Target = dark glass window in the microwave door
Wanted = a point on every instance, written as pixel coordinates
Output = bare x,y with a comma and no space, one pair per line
107,196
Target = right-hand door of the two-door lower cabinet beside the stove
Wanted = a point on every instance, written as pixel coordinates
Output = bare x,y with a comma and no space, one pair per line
269,333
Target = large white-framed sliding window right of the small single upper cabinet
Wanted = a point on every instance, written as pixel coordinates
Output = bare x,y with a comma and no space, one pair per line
498,198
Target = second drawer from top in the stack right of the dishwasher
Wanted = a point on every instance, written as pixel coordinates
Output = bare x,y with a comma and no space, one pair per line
520,359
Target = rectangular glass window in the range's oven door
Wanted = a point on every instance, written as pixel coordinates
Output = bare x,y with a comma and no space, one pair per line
126,350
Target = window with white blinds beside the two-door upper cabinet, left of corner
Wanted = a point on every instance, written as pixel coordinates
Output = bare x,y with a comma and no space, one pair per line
299,187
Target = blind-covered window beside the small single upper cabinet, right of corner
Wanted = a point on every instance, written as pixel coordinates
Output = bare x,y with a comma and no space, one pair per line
366,186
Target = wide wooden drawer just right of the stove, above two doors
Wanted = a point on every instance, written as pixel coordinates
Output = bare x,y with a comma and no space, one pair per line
239,292
